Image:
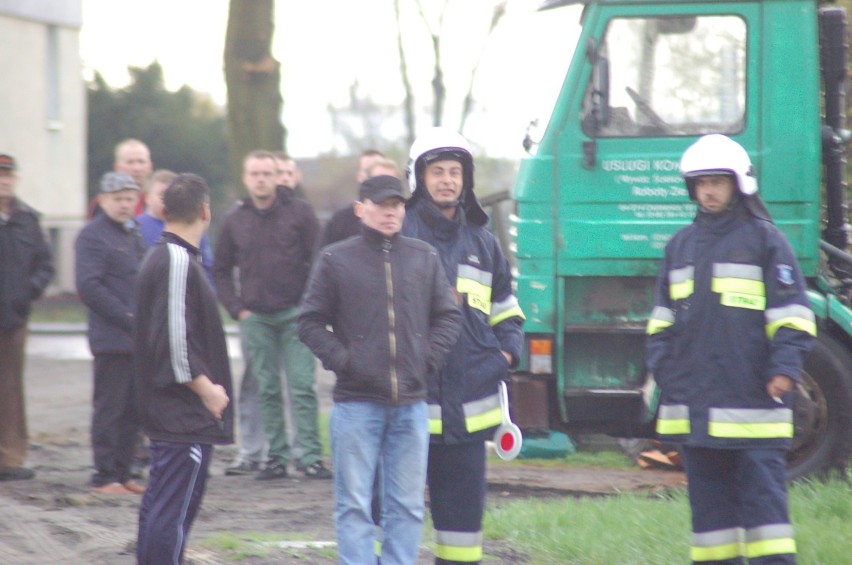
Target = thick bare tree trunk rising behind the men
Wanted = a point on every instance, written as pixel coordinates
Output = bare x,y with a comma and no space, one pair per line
253,79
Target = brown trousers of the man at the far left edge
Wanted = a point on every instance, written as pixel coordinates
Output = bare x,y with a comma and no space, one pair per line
13,420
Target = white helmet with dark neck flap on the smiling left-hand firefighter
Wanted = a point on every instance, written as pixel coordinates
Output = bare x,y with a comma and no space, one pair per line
439,143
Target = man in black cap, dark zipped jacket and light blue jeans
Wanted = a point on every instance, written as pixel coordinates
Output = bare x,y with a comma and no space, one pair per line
393,319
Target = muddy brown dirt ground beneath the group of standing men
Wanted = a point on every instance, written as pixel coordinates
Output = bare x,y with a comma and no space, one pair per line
55,519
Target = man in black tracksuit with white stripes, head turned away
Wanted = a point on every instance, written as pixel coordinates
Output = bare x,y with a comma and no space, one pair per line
183,373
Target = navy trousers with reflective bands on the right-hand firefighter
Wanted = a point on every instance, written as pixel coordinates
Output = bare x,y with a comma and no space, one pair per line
738,499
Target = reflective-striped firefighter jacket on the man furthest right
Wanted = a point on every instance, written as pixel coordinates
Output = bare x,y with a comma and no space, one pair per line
731,312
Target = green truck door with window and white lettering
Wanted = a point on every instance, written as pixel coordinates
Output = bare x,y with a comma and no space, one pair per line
654,84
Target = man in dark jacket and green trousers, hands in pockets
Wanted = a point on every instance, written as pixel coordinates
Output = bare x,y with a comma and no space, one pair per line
269,238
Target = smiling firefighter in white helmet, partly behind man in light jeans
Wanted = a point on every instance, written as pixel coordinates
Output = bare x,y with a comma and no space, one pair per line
463,399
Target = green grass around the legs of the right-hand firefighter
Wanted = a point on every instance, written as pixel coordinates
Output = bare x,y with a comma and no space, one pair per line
652,530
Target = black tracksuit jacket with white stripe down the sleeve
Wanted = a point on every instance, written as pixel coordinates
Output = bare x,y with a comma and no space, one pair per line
179,336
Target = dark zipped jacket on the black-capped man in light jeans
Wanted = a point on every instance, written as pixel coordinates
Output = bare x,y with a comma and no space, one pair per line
392,316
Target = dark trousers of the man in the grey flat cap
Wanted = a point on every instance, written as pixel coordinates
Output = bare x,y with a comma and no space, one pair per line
114,419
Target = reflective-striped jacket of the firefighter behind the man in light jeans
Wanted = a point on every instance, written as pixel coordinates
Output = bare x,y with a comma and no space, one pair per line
464,400
